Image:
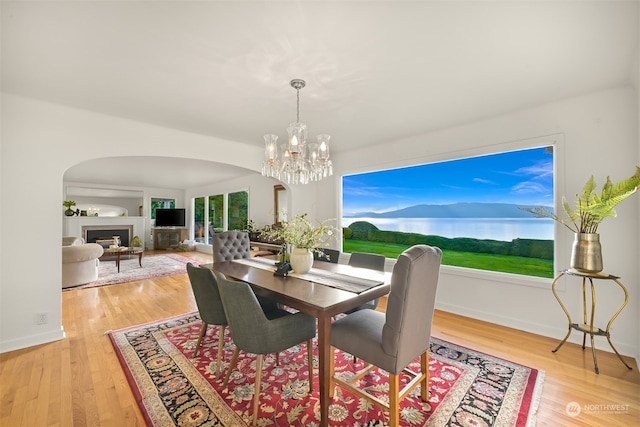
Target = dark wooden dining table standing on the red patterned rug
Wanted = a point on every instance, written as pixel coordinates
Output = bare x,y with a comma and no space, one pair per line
311,297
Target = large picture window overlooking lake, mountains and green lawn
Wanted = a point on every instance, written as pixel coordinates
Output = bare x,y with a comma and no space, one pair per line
471,208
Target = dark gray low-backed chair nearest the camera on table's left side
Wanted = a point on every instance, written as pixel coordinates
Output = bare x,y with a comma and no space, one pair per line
260,333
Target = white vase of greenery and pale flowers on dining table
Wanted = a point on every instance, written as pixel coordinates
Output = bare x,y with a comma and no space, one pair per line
304,238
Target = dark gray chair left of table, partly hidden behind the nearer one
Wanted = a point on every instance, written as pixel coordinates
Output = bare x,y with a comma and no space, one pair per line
205,291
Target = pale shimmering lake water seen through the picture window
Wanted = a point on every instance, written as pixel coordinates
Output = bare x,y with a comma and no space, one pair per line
505,229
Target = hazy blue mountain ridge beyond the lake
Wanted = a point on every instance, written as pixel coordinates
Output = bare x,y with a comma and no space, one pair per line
454,210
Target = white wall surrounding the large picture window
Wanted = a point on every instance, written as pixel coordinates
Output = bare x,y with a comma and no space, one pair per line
598,135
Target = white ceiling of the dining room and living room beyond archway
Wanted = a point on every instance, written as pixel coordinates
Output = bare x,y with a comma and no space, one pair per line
375,71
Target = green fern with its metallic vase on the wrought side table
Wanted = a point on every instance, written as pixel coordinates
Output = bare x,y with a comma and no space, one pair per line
591,208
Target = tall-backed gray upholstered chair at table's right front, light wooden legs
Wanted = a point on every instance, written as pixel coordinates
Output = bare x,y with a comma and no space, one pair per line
393,340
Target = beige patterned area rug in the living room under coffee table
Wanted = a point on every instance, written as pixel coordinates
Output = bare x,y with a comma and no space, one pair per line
130,271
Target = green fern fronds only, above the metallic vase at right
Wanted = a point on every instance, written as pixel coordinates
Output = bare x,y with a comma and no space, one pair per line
592,208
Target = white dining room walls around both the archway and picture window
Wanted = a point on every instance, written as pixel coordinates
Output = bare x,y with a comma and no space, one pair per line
599,133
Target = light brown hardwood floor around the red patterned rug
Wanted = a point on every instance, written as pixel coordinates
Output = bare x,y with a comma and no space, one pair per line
79,382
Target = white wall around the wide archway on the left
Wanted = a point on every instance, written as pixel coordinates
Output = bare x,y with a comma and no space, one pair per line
39,142
